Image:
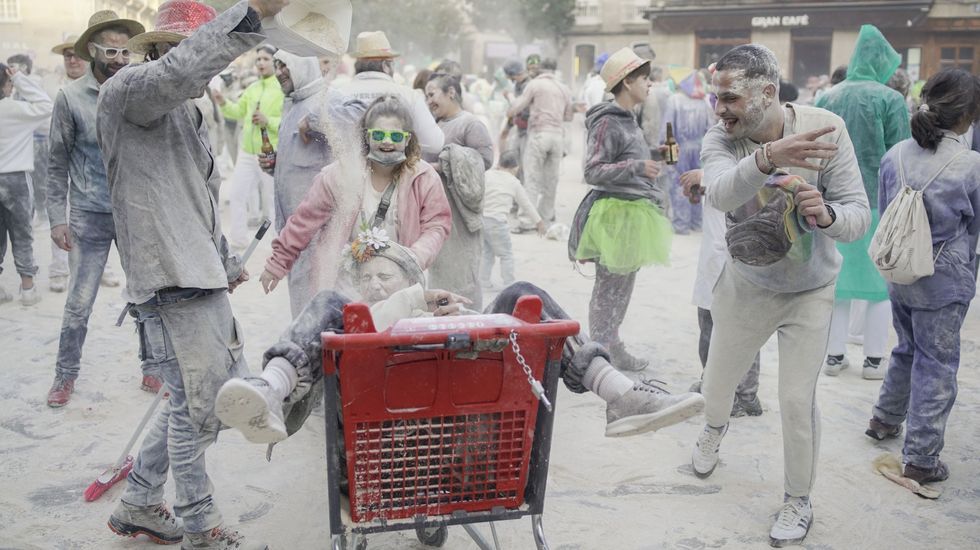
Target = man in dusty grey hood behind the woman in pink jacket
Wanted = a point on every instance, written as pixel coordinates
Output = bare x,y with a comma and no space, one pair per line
314,120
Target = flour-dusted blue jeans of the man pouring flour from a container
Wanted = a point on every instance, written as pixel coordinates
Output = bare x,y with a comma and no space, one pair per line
177,439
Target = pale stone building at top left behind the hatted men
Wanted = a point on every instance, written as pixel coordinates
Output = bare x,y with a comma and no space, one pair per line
35,26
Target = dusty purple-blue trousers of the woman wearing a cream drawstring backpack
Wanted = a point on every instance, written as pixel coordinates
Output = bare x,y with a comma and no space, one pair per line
920,383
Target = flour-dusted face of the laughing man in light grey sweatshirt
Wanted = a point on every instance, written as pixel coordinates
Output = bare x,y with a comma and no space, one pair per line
741,102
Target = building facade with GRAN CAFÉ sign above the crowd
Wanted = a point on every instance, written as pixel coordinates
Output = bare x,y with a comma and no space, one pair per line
808,37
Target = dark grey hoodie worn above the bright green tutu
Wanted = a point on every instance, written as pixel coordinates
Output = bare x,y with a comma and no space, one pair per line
615,153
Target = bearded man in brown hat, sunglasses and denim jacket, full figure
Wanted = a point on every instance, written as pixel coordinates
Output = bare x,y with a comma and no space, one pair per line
76,170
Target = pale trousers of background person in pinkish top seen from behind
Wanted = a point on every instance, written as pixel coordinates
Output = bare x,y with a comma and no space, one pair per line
542,160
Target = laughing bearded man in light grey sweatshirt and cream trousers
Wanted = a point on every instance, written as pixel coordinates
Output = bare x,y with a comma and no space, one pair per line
786,289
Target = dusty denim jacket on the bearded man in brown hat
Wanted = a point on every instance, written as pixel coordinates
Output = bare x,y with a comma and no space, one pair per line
75,164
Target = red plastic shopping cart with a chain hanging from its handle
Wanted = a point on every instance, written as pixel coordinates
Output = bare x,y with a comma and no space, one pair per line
440,422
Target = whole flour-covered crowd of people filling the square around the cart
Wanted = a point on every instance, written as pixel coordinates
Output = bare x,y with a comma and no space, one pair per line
404,197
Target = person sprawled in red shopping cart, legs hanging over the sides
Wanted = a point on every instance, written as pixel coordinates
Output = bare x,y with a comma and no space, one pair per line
270,407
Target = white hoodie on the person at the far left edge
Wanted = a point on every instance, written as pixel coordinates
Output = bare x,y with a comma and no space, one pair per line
18,120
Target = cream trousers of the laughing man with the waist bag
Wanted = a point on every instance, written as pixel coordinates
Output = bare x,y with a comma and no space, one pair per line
745,316
